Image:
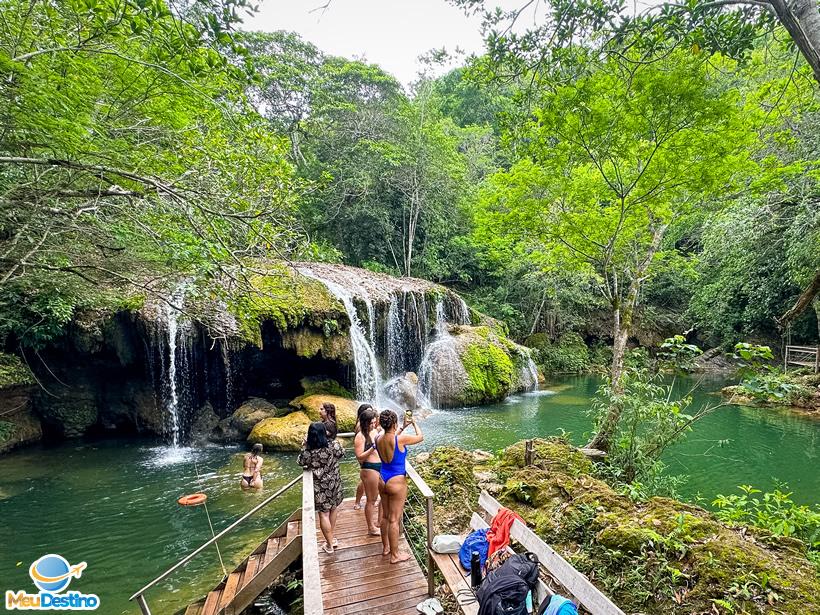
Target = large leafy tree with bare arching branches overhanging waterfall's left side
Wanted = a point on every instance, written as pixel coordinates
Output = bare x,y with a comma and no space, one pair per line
129,156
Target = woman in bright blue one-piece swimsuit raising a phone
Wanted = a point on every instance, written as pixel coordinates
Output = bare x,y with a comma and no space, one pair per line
392,448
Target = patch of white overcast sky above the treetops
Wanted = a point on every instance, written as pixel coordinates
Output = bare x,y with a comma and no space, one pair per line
390,33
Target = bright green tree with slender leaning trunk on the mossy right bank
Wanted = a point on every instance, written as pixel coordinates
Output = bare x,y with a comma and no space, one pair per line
611,161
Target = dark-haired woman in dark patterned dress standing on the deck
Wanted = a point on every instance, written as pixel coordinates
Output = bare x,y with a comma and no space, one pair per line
322,457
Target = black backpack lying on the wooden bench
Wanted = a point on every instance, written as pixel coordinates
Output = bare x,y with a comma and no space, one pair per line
504,590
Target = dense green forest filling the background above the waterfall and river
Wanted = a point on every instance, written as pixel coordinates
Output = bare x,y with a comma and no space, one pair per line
656,171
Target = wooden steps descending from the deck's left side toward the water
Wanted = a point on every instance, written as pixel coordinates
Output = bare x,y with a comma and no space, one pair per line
255,573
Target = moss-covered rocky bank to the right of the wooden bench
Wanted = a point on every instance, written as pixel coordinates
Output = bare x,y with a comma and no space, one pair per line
658,556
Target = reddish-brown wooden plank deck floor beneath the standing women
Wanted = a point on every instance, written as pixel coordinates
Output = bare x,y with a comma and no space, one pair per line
356,578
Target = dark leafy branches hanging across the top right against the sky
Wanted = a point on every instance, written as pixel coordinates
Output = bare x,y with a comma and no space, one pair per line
727,26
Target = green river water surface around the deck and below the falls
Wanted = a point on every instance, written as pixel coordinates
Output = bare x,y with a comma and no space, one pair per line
112,503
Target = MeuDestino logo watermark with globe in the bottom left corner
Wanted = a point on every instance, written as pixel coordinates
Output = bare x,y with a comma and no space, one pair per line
52,574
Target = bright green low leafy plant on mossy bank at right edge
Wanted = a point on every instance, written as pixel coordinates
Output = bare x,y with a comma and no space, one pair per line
774,511
